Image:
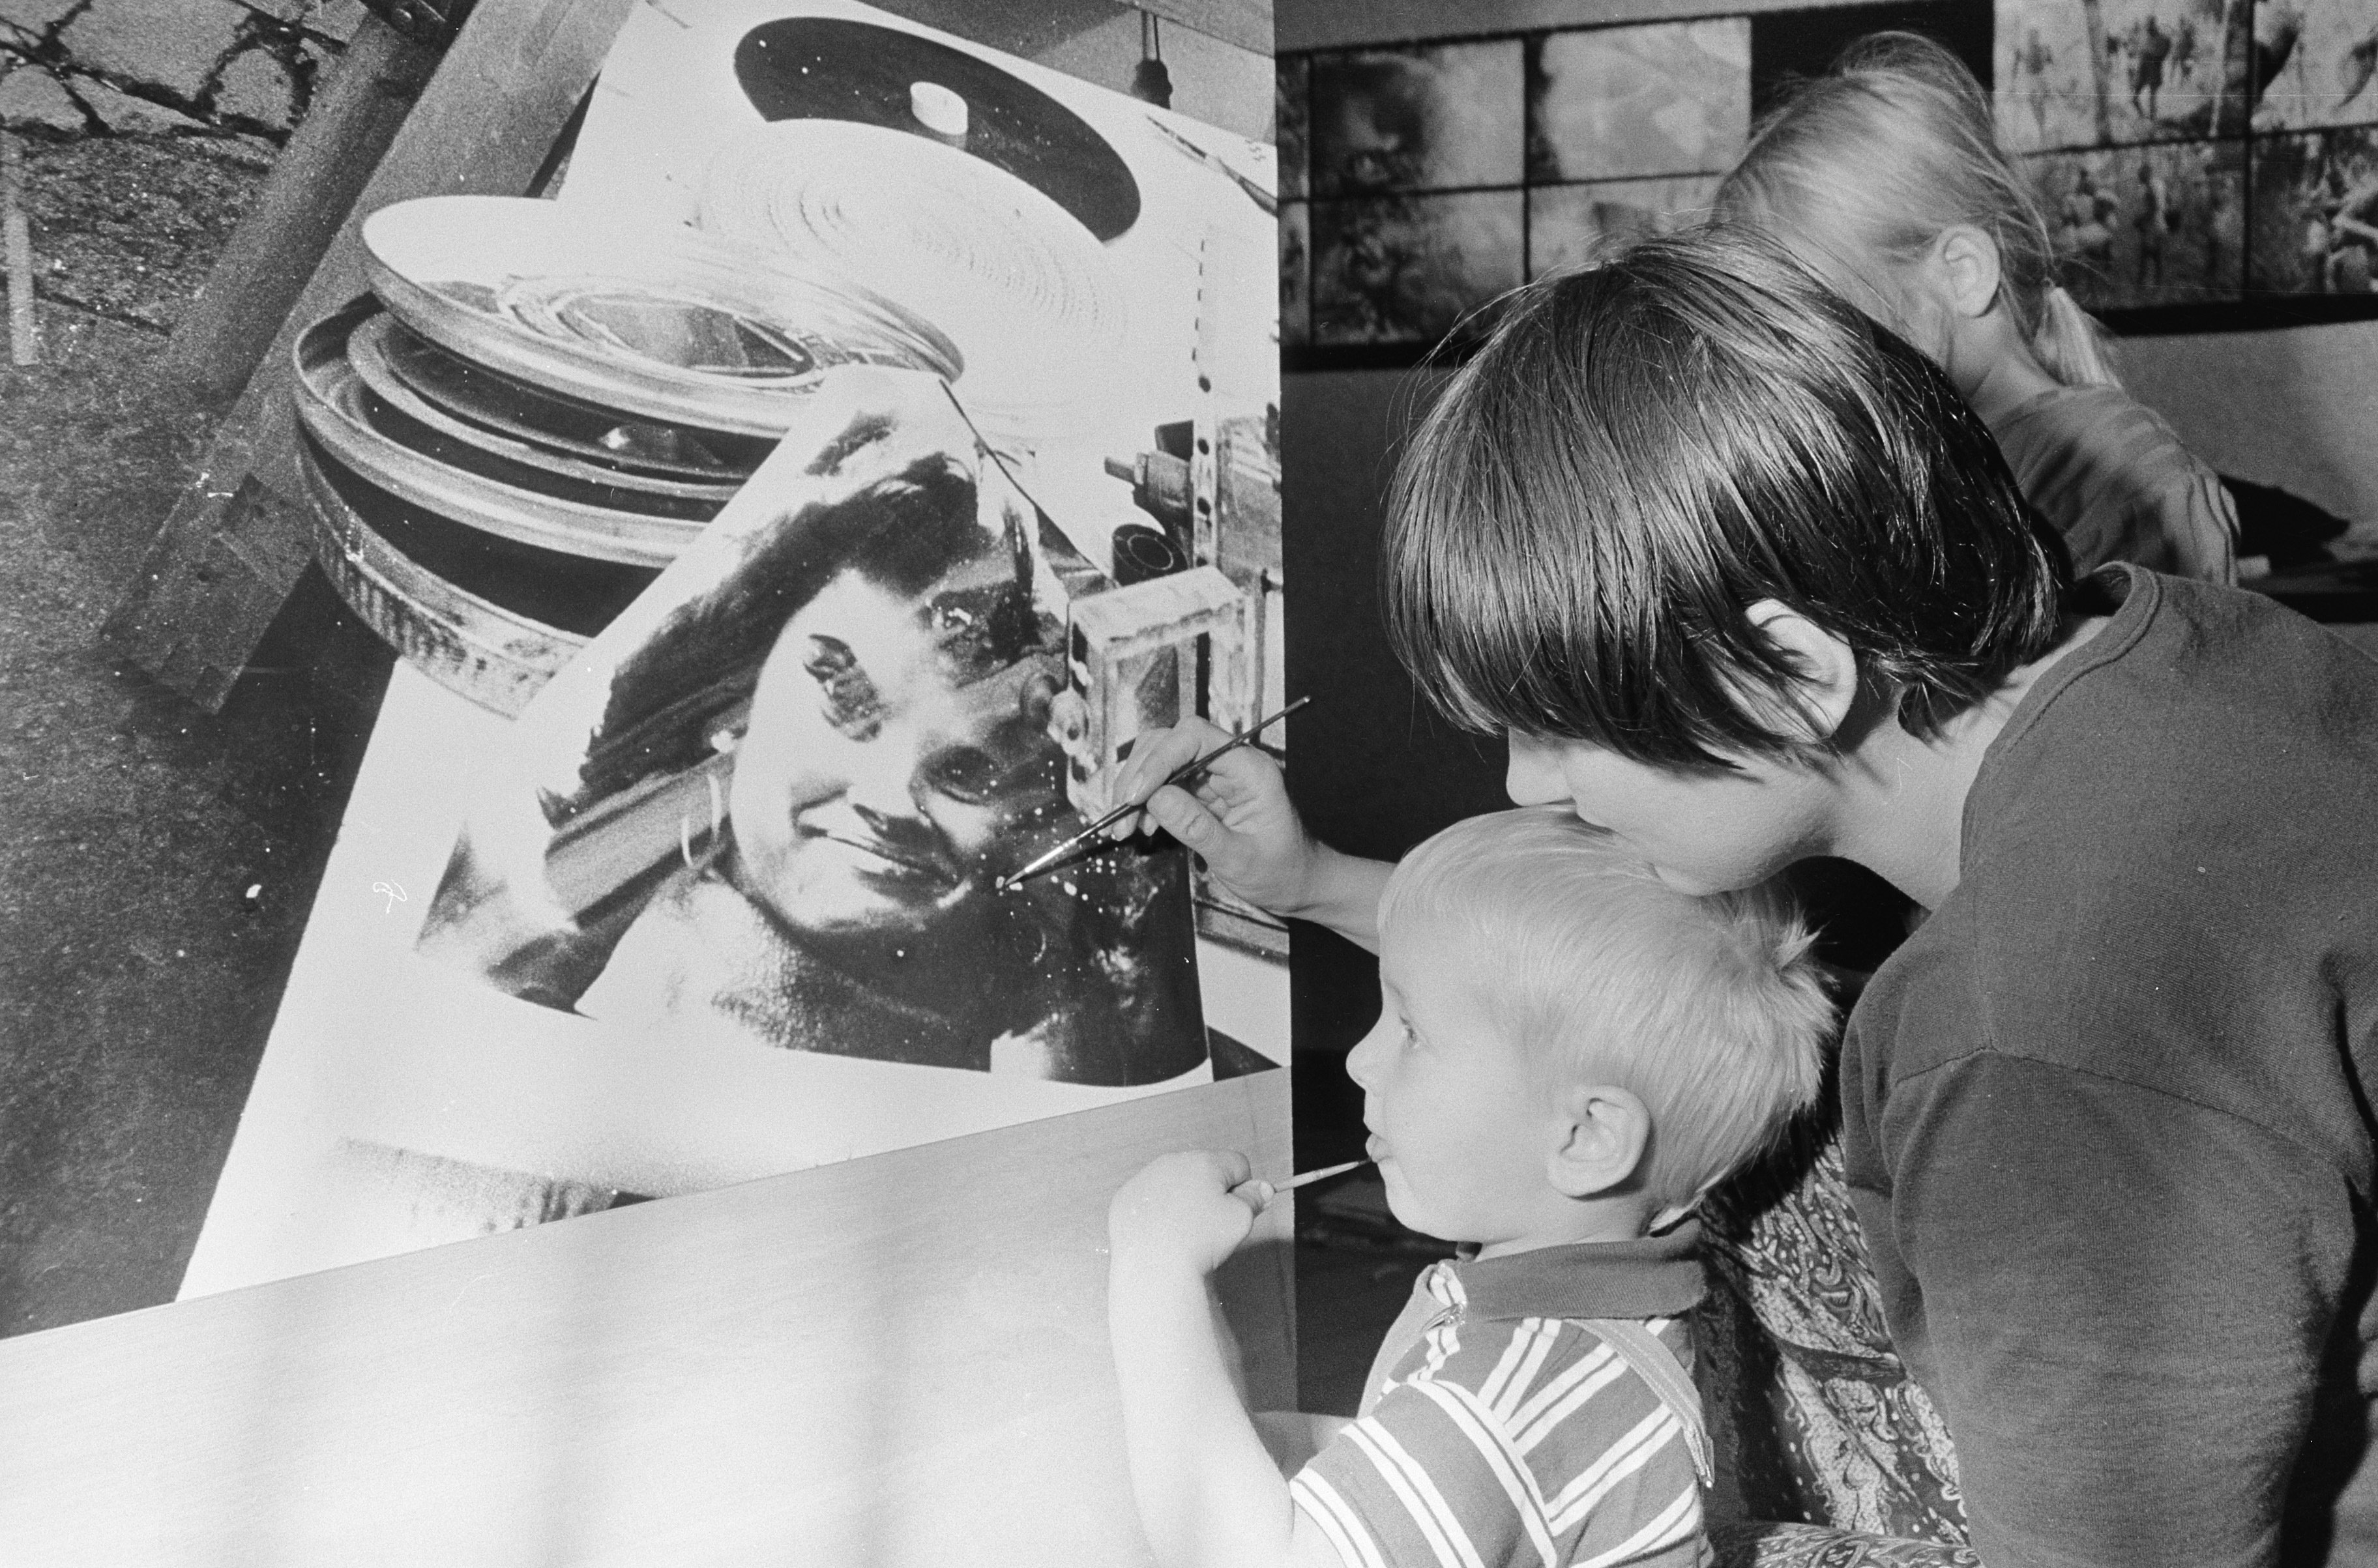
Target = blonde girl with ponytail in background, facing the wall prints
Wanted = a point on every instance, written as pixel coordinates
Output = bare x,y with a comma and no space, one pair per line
1887,179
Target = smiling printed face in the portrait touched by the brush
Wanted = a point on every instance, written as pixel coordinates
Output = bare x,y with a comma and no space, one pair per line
881,769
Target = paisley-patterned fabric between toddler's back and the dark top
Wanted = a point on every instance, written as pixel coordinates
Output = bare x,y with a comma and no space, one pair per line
1830,1455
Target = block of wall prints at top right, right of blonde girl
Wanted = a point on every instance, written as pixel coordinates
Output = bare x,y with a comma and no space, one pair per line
2201,163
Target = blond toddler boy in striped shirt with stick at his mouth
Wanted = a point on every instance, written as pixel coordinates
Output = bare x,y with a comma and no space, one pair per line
1568,1056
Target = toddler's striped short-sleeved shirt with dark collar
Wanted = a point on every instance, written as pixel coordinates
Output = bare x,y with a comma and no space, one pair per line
1502,1429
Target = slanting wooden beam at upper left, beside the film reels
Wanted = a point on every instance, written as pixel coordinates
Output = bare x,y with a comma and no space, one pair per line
229,552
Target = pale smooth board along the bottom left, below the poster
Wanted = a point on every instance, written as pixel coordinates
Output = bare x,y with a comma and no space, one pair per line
886,1362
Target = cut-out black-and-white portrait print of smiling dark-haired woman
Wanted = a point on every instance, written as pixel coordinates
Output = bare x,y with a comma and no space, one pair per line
805,783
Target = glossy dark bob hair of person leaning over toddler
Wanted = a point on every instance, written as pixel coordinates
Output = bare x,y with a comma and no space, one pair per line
1642,453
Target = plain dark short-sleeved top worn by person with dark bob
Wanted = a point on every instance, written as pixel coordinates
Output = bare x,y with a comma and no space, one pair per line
2108,1113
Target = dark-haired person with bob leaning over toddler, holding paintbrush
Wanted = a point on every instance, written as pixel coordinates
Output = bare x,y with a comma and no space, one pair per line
1742,581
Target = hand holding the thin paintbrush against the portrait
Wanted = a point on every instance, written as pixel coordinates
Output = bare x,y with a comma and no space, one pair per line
1238,816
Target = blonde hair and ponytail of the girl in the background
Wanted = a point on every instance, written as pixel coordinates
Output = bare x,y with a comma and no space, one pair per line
1882,156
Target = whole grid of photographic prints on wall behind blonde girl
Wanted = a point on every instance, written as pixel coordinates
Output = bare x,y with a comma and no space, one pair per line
2201,163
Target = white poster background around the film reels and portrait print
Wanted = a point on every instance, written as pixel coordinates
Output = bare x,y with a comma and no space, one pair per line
403,1101
